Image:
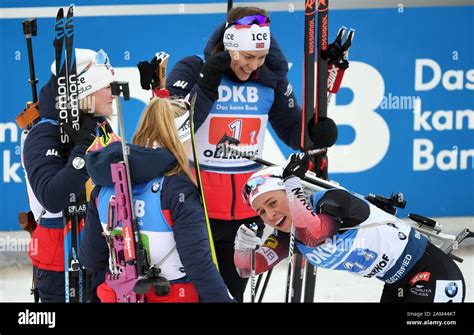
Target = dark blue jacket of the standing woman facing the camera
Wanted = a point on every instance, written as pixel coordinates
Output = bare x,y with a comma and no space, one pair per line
284,119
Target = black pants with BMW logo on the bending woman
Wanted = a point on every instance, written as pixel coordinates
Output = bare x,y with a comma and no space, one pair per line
434,278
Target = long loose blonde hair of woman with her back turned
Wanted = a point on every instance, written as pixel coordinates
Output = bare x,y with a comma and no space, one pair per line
156,126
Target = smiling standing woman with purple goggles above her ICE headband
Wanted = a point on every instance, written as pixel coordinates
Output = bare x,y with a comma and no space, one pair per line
241,85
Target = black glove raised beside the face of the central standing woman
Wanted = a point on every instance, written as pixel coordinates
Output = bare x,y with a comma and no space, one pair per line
211,73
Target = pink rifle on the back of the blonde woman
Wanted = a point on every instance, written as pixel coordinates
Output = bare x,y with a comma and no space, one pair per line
131,275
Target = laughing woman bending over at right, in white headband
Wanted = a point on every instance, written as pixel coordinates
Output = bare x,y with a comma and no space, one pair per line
336,230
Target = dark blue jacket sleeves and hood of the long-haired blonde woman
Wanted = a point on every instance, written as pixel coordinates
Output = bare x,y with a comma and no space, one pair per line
189,229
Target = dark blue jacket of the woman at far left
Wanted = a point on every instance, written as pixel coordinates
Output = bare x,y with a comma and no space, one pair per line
52,179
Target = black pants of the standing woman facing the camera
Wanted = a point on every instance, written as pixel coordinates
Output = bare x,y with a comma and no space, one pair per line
223,234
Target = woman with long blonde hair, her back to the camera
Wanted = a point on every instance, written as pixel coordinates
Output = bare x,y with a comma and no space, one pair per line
167,205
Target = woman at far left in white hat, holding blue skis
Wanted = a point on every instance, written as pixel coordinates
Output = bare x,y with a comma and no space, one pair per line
51,178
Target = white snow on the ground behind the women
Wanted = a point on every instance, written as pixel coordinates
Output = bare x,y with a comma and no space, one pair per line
331,286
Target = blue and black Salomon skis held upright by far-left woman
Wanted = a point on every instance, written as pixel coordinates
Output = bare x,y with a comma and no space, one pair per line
77,279
